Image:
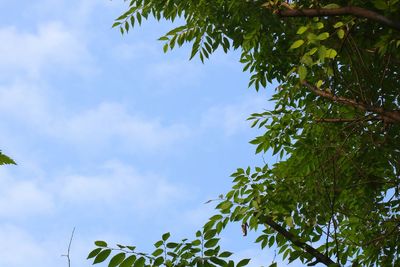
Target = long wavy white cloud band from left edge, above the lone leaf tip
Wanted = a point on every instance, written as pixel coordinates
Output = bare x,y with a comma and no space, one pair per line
96,128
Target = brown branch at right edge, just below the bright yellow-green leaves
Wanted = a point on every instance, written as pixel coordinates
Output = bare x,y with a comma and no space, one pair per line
392,116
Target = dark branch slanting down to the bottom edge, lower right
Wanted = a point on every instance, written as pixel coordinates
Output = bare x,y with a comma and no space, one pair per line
296,241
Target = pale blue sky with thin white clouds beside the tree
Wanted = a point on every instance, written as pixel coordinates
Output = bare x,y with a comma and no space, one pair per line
111,135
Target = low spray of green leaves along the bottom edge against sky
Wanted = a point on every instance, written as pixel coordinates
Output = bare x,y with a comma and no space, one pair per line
202,251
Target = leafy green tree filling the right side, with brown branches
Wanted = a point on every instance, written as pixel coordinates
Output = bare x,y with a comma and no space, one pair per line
334,196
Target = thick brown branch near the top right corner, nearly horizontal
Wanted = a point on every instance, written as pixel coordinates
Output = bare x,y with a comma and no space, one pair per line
341,11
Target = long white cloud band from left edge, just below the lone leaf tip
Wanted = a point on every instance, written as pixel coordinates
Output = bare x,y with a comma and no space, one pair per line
114,185
